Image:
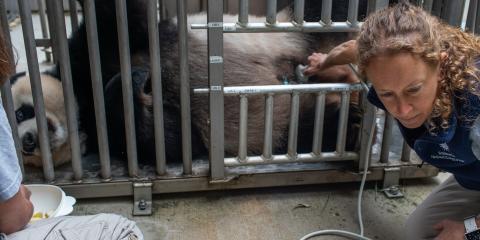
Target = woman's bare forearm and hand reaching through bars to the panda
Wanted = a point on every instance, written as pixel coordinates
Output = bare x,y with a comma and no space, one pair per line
344,53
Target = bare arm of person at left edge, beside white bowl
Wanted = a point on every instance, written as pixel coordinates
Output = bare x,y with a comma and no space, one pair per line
16,212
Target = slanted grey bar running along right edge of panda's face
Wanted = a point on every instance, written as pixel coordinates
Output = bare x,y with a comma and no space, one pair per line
69,98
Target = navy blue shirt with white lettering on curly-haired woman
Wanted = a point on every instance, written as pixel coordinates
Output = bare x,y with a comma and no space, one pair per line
449,149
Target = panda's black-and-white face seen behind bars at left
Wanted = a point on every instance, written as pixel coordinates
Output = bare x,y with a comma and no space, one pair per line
56,121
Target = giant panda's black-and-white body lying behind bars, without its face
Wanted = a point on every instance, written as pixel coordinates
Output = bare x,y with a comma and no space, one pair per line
249,59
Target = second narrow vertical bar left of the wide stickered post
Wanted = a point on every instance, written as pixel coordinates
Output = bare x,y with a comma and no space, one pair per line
154,43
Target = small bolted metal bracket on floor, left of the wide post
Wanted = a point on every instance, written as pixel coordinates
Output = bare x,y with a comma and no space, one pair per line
142,198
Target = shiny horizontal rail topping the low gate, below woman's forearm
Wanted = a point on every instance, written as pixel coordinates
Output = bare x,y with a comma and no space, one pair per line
284,89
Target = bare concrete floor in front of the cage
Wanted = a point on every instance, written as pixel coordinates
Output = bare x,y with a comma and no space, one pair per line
271,213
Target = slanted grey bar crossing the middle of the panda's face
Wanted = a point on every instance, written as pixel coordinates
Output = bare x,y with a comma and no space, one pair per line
34,71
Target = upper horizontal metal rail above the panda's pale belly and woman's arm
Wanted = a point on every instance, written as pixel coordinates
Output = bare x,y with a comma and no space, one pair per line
285,27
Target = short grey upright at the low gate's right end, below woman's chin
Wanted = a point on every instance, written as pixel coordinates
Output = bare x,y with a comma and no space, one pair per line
367,131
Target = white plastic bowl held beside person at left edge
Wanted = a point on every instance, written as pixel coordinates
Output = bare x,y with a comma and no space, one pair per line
50,199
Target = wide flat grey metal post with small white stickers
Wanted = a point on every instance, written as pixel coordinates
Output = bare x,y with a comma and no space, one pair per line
215,76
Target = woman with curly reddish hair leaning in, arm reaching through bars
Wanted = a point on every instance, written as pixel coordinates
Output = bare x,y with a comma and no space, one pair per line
425,73
